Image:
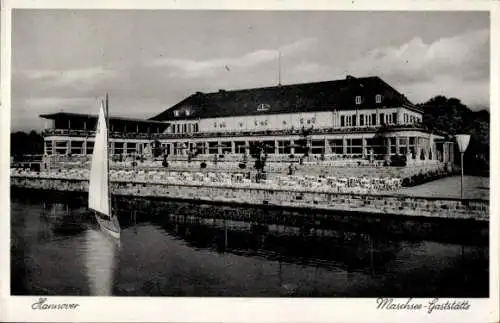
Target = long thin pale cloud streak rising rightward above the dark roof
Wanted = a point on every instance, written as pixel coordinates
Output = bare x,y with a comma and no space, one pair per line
188,68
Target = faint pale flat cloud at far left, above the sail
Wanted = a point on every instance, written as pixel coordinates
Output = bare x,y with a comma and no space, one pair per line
70,77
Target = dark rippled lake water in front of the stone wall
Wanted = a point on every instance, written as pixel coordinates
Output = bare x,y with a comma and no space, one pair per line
58,249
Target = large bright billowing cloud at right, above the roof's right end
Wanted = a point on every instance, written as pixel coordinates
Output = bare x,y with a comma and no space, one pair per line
453,66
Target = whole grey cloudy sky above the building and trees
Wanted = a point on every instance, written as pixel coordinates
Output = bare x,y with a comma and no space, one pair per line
62,60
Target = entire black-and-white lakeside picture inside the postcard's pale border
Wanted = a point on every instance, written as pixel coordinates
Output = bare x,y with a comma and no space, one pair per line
298,154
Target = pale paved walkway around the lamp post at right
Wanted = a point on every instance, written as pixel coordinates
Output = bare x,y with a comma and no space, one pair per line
474,188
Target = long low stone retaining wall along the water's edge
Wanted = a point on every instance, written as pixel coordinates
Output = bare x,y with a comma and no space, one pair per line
321,200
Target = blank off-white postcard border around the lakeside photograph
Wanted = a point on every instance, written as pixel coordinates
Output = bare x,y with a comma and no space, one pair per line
118,309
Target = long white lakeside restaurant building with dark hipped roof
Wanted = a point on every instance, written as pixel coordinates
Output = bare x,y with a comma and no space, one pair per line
350,118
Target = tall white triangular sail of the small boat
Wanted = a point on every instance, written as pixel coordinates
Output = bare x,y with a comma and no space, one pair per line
98,185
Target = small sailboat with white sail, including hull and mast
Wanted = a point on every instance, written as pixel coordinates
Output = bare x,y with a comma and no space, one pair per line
99,195
